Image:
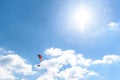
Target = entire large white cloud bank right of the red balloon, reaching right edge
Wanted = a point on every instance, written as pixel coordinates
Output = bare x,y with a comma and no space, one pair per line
69,65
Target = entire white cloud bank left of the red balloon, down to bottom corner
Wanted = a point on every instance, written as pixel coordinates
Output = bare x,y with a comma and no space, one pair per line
11,64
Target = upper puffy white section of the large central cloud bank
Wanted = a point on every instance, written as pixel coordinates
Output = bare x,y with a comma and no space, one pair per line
67,57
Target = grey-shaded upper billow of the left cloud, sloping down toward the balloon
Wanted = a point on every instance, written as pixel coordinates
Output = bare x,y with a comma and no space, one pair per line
14,62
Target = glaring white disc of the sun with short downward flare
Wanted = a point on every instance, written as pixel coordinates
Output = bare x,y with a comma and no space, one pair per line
81,17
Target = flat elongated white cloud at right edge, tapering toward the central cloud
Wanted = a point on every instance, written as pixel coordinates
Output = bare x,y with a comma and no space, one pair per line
108,59
